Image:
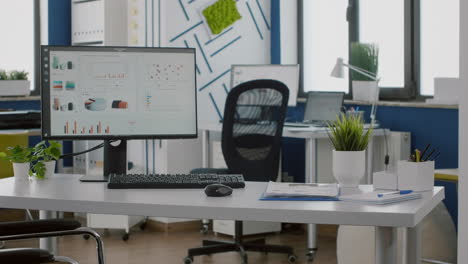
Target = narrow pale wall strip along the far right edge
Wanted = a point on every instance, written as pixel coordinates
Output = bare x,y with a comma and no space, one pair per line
463,139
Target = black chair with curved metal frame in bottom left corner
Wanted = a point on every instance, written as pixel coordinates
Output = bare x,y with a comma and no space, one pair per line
42,229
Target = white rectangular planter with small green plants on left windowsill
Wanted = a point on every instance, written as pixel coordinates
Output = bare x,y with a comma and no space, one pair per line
14,84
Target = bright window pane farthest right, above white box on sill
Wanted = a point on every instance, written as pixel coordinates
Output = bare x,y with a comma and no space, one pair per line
439,34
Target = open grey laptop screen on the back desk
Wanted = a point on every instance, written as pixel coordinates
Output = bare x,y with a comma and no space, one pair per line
323,106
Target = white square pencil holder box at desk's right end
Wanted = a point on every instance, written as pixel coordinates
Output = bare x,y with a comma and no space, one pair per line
416,176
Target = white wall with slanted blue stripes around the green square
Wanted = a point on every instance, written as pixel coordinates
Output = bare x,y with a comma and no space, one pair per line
250,37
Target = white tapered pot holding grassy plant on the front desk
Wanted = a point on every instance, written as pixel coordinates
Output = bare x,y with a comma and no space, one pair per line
349,167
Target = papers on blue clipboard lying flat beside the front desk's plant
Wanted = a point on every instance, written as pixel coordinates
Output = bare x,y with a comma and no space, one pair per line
301,191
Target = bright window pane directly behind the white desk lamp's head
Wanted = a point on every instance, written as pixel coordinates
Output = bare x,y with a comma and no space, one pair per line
326,30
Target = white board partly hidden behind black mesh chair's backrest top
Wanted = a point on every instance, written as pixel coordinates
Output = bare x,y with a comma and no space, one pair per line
287,74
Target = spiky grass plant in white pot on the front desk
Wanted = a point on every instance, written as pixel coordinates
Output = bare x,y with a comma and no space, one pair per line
350,141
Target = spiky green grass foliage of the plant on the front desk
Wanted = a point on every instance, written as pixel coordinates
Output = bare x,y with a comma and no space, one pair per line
347,133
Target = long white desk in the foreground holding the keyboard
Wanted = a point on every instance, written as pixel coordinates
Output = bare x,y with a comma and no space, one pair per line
65,193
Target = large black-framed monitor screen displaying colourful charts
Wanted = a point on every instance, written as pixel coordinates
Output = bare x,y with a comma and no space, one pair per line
113,92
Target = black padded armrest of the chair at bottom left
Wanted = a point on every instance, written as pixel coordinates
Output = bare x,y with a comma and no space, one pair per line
37,226
